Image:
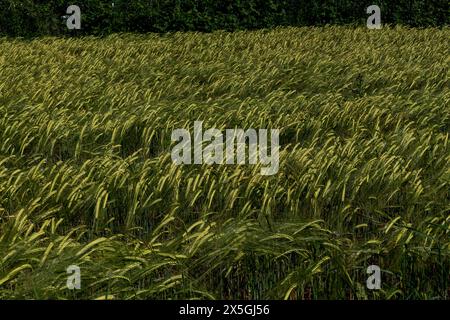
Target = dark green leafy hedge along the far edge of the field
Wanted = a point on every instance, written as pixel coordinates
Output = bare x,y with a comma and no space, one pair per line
40,17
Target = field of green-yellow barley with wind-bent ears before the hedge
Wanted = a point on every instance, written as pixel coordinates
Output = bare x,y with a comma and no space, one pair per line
87,179
